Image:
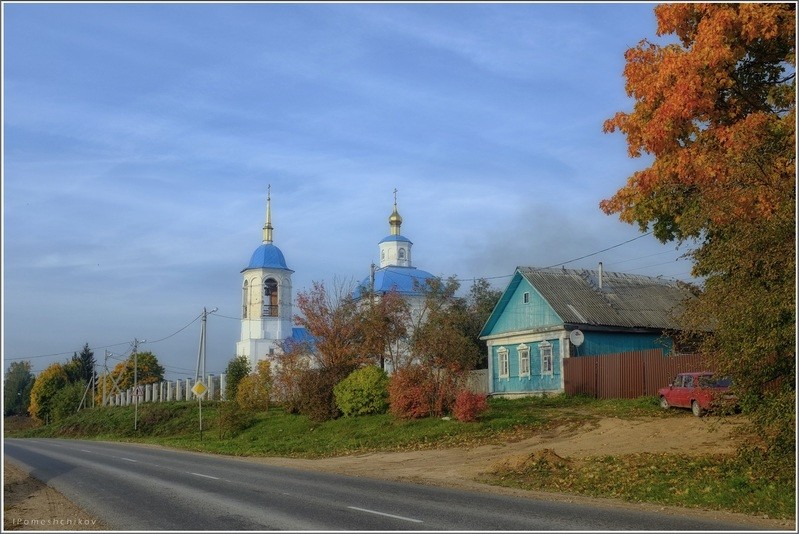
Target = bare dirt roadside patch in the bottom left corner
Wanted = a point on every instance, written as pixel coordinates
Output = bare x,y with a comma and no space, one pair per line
31,505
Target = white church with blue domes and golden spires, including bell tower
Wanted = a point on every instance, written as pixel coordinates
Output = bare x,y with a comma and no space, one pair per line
266,295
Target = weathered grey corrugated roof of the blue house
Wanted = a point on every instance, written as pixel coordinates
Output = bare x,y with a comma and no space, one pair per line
625,300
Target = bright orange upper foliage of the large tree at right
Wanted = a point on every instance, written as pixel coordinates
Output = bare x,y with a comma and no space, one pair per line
717,113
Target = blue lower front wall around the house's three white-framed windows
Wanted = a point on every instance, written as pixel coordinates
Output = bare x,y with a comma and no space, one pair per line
536,382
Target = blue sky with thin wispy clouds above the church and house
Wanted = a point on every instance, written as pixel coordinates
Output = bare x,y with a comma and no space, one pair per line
140,139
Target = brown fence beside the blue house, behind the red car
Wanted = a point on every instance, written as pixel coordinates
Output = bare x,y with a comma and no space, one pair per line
625,375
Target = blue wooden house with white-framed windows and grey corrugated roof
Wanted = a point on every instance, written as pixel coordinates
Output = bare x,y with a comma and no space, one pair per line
530,331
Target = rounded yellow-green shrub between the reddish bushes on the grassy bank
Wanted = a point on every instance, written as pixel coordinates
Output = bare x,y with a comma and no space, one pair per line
363,392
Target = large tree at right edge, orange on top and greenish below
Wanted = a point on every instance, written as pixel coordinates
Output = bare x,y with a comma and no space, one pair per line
714,112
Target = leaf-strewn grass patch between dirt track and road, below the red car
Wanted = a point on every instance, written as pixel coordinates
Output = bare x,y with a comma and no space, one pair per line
718,482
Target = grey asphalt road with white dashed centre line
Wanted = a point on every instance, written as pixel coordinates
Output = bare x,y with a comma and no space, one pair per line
136,487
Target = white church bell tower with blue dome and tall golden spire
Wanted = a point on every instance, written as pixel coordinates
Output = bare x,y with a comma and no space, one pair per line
266,297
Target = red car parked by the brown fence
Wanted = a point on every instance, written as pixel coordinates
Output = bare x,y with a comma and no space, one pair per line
700,391
